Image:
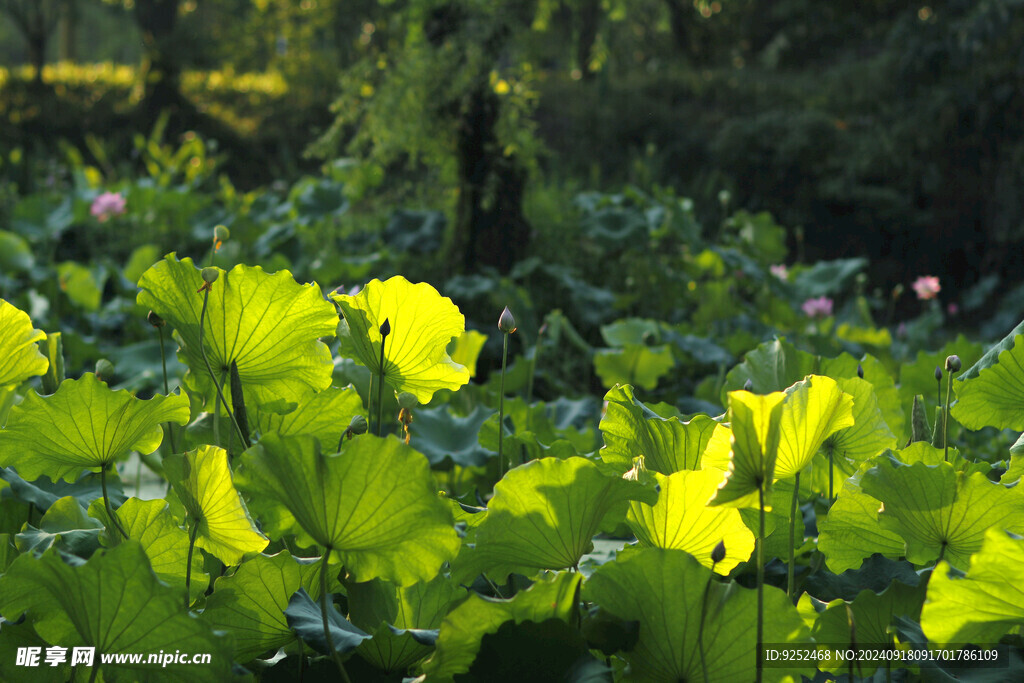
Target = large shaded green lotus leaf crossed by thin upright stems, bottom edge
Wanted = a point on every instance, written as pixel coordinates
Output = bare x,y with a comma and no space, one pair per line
642,587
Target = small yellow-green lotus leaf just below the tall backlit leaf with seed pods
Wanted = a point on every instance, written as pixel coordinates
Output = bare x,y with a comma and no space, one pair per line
325,415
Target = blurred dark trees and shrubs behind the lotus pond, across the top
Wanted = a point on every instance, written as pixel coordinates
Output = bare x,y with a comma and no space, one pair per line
875,129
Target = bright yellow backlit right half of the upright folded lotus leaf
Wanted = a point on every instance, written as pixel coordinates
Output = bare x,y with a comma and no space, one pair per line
815,409
